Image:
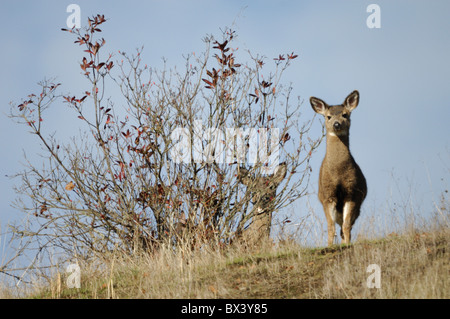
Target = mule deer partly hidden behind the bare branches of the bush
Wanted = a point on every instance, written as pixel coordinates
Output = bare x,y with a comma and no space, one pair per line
264,190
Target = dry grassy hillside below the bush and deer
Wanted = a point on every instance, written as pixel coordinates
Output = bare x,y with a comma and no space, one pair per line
413,265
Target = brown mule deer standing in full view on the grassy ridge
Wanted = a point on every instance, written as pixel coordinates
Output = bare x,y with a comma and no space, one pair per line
342,186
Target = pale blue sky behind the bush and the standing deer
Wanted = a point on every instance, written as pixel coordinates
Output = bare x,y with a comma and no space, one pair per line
399,133
